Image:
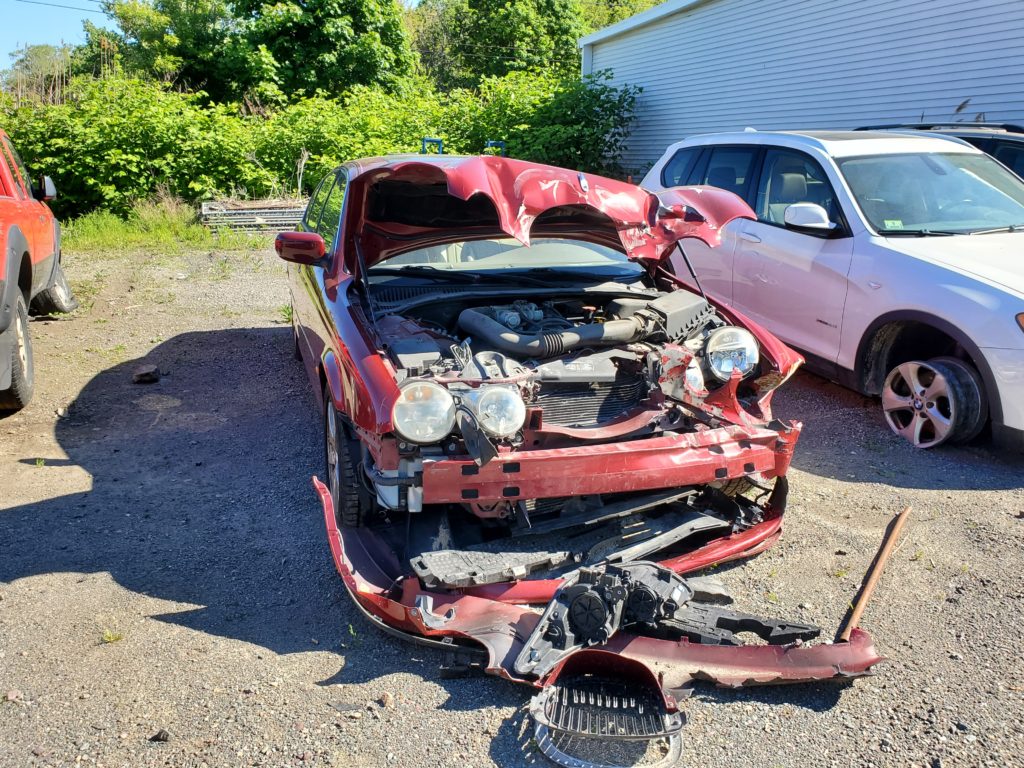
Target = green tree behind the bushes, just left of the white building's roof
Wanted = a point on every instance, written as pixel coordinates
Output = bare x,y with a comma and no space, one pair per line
503,36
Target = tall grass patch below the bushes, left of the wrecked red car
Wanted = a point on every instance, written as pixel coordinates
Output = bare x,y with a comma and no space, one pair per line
164,224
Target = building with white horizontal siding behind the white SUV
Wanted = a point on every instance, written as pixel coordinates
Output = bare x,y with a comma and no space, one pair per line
726,65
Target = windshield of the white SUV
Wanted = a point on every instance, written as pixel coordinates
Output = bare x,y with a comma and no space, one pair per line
935,193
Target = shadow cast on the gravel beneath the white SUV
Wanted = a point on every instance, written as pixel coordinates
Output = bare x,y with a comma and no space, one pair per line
846,439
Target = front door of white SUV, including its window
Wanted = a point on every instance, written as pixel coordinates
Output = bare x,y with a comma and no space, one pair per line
794,282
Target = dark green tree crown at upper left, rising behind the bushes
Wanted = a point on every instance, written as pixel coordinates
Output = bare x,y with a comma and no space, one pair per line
262,52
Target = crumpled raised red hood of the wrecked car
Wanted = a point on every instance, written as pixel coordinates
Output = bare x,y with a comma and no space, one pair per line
396,205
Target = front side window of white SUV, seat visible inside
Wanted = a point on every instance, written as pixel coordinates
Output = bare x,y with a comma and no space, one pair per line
790,178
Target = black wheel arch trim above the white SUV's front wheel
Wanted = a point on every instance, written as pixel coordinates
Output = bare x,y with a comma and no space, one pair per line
883,335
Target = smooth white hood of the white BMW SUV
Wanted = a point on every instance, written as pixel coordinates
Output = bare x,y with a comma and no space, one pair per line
997,259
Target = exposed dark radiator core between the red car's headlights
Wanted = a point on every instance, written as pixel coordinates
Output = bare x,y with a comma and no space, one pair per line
589,405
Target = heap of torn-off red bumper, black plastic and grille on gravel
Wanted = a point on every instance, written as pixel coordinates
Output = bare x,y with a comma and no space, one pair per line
611,646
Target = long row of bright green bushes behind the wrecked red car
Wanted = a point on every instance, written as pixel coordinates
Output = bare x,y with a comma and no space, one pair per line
118,141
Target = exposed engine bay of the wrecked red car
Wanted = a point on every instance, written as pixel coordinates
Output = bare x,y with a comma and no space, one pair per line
583,361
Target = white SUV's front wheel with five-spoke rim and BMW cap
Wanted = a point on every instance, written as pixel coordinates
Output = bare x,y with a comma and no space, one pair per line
934,402
